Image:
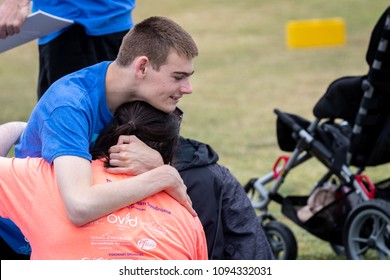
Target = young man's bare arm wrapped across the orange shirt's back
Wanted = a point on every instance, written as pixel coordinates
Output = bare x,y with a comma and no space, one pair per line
85,202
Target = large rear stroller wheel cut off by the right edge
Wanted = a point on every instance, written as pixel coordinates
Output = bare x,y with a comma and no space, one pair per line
367,230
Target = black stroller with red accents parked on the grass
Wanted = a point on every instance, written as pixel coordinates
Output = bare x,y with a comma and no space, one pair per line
350,132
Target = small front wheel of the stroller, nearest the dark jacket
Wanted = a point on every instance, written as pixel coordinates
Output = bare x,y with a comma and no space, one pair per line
282,240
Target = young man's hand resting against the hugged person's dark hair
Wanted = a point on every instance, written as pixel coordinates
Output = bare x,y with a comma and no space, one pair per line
132,156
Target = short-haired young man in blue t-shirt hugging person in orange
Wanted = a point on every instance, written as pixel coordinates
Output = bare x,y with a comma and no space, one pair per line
154,64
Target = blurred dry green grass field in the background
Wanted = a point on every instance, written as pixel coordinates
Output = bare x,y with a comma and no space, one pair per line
243,72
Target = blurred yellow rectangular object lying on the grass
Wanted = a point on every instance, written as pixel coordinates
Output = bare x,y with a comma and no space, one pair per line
315,33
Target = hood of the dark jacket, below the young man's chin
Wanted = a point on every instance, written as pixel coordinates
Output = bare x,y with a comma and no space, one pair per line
191,153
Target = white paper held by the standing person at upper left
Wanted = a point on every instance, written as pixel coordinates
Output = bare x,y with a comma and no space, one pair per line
36,25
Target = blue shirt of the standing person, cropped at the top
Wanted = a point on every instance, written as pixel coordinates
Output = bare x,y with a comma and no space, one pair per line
99,17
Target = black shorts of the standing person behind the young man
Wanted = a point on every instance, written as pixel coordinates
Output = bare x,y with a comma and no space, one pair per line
72,51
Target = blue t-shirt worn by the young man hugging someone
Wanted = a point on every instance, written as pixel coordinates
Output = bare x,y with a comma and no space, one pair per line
69,116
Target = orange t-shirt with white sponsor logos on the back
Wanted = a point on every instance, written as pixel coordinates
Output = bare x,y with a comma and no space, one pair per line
155,228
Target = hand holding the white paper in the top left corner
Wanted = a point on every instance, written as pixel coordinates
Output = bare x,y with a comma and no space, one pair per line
12,15
